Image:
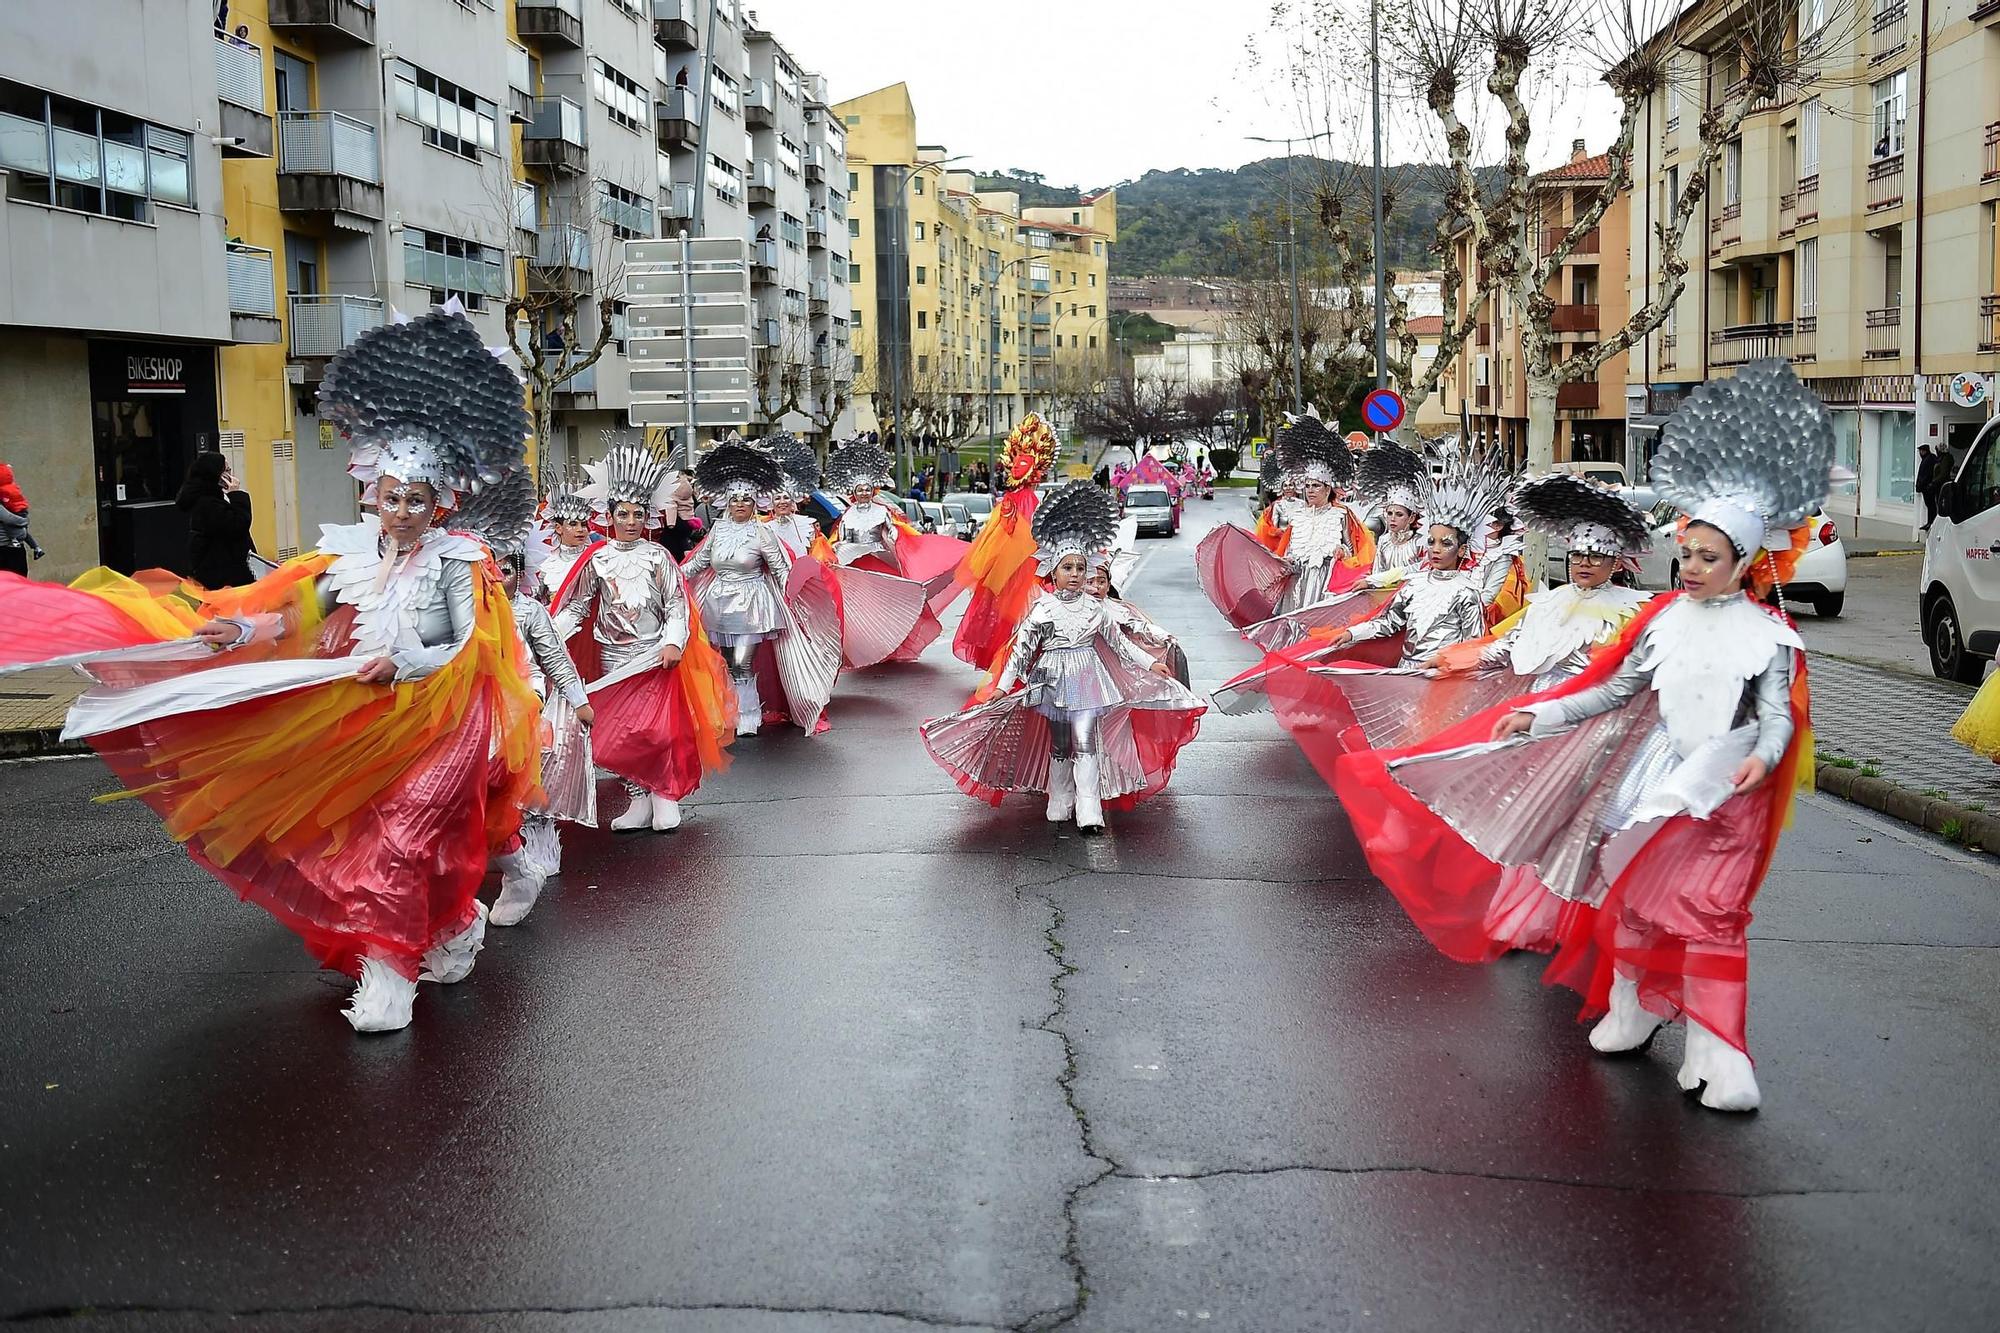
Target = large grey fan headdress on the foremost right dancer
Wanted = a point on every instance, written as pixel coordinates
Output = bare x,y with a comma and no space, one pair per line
1747,453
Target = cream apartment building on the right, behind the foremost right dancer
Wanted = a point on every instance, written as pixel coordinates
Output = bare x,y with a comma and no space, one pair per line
1849,227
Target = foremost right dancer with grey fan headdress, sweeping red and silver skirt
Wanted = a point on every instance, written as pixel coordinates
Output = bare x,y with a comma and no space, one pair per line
1661,776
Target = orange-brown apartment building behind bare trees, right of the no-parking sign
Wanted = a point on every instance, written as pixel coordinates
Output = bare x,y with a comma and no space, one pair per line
1489,387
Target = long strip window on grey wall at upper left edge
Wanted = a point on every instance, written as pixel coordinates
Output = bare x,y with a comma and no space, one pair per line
71,155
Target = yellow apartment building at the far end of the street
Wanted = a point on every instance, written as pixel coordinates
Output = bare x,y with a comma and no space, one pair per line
981,307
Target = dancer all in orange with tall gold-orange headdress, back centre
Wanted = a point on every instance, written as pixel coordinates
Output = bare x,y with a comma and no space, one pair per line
1001,563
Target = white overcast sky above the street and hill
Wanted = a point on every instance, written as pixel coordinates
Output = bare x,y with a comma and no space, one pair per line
1087,93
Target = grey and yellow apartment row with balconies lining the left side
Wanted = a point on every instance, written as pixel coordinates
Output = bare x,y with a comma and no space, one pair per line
217,201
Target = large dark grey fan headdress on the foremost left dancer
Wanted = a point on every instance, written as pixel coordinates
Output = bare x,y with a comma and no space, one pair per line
425,401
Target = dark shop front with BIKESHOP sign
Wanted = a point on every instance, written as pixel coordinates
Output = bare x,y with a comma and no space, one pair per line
153,407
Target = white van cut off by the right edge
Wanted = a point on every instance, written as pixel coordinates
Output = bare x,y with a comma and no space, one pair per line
1961,583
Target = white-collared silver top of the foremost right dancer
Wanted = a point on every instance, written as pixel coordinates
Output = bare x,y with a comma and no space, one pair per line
1715,665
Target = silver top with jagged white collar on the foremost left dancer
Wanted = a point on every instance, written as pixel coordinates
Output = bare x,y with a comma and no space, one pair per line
417,611
